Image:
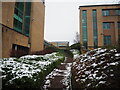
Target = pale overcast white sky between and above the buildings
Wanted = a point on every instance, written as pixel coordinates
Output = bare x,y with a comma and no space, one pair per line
62,18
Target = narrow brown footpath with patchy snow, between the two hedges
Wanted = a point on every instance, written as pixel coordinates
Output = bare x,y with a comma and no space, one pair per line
60,77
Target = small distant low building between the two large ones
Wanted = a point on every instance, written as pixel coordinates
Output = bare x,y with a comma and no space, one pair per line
61,44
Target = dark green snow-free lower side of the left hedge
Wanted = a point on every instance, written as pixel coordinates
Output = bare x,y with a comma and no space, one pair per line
35,81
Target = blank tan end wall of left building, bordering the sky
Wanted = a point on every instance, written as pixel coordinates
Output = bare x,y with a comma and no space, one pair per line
37,26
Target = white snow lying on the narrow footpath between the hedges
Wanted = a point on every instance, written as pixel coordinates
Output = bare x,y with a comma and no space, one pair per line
66,74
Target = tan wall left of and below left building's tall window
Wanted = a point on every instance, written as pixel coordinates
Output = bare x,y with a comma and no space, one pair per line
10,37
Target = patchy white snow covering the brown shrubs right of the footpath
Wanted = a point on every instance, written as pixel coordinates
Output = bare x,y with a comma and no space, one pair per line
95,66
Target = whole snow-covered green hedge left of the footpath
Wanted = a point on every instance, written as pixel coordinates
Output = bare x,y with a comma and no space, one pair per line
28,71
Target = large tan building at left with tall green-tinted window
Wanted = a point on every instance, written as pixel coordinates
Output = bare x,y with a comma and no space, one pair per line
22,27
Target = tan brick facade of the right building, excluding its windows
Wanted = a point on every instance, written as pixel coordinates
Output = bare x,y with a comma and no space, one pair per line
100,19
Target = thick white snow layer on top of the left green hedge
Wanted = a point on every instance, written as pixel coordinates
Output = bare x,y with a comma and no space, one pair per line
26,65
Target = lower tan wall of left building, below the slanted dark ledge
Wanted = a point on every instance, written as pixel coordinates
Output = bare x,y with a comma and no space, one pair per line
10,37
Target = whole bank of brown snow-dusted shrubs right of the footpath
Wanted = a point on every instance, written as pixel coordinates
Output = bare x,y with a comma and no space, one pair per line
98,68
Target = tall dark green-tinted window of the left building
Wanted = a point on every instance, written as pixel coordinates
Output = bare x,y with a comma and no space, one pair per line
21,15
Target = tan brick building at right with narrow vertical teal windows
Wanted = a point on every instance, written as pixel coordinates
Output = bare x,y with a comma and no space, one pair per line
99,25
